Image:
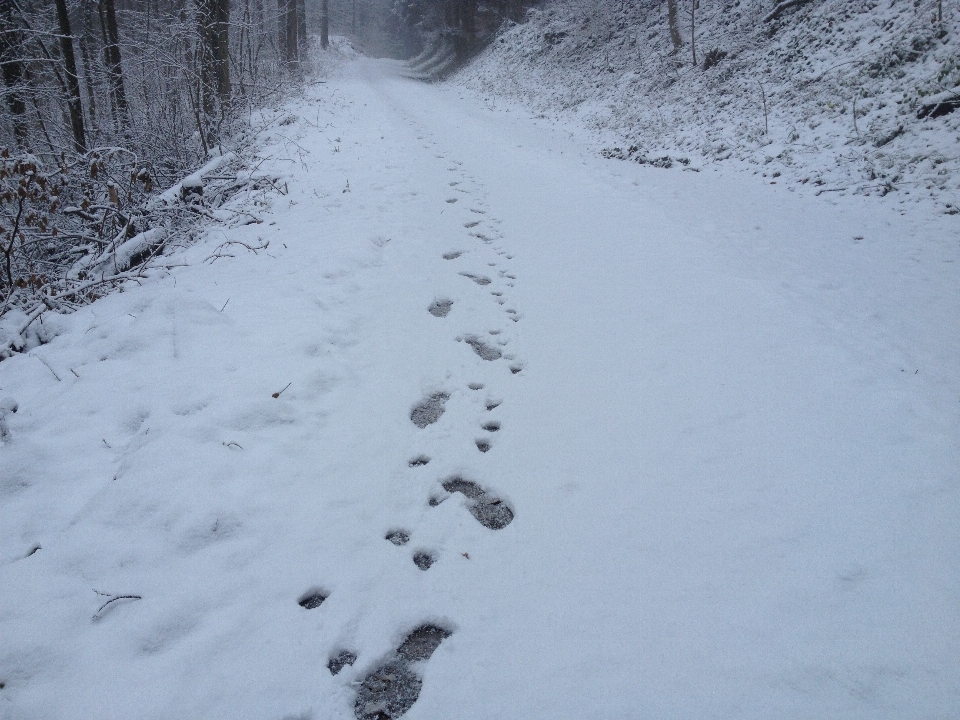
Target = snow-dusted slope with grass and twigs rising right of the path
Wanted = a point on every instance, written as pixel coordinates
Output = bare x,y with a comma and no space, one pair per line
827,95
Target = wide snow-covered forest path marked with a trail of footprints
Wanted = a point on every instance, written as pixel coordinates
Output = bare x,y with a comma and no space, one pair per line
697,455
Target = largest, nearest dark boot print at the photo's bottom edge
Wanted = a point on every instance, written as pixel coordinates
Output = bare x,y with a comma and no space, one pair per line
392,689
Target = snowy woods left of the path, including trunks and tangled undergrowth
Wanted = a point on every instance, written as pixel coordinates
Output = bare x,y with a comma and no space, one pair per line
105,103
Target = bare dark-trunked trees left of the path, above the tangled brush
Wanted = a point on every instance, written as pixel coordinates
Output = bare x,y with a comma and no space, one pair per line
160,77
